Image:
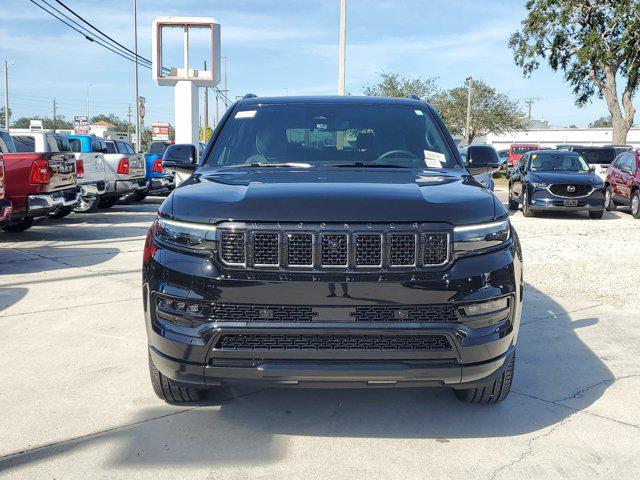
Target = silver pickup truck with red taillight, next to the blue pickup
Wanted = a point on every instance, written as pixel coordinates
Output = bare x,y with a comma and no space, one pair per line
125,171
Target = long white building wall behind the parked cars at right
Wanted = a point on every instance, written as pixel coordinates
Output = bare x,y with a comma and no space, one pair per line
552,137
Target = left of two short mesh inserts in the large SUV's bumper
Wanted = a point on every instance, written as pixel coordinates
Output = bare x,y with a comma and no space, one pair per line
261,313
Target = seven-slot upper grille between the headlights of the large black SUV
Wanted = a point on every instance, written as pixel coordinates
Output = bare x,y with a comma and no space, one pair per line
281,248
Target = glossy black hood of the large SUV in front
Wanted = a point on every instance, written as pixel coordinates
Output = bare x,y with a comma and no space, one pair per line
332,195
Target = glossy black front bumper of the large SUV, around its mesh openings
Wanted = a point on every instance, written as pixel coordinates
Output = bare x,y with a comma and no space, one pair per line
194,353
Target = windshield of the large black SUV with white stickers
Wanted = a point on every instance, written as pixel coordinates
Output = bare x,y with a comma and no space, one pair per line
334,134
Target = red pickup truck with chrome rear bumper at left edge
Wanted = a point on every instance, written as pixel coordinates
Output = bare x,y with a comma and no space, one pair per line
37,184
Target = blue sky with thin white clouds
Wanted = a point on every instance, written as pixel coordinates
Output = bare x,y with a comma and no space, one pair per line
277,47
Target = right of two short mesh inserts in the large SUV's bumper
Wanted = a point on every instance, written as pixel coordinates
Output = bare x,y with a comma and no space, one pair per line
406,313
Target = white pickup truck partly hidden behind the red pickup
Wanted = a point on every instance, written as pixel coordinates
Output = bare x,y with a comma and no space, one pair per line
90,171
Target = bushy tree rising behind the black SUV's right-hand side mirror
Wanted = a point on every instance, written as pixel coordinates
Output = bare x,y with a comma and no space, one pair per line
491,112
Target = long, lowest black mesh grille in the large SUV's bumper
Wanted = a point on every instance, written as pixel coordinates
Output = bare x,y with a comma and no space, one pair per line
333,342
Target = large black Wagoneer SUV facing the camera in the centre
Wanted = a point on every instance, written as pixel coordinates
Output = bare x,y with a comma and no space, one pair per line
329,242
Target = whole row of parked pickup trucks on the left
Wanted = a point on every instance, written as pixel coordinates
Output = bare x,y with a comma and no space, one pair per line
48,174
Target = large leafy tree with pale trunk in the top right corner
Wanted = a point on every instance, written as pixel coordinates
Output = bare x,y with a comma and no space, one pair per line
595,44
